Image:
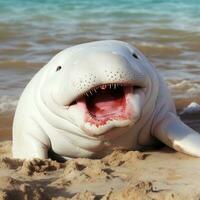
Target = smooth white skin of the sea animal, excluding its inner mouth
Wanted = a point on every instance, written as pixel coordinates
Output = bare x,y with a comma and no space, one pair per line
52,113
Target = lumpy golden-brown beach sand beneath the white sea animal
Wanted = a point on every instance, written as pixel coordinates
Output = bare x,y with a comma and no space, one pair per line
153,174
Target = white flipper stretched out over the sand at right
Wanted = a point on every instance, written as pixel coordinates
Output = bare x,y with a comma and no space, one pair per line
174,133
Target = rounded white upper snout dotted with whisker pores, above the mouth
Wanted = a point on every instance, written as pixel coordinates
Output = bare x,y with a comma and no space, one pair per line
101,68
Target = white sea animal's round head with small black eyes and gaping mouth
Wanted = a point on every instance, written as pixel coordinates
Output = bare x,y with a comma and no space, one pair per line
99,88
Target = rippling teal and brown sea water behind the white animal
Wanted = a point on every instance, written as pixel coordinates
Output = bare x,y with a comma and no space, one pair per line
31,32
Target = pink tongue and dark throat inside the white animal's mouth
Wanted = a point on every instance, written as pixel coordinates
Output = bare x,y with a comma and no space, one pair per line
106,103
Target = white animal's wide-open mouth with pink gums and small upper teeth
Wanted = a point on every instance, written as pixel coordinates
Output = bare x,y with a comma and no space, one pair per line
105,102
